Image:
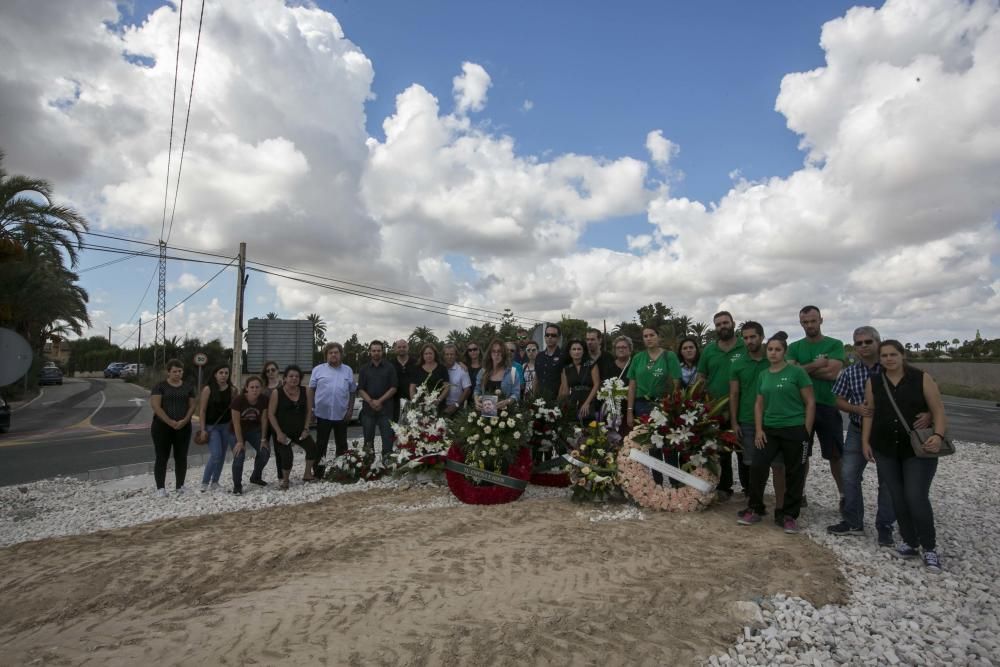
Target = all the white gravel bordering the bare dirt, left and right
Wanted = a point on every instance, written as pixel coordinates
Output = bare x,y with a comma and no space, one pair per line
898,613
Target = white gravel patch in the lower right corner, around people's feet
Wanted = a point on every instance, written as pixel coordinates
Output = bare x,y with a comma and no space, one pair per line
898,612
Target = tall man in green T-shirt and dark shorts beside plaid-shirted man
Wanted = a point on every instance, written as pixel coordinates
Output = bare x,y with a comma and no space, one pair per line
822,357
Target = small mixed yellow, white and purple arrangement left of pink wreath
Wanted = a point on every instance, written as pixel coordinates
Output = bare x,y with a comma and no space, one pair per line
593,472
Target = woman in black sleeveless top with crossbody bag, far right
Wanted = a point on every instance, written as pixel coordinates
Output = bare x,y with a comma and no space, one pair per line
886,442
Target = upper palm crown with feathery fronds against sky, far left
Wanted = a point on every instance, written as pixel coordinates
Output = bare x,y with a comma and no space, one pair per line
24,221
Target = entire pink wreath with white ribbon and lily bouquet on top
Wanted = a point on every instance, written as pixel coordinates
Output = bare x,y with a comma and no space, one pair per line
685,432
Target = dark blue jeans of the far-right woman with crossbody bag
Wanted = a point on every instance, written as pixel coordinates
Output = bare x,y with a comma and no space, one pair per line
909,484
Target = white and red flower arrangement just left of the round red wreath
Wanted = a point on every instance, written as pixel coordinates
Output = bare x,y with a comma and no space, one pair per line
421,435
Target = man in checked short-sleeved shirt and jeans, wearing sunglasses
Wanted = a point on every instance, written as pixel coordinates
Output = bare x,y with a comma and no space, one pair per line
849,392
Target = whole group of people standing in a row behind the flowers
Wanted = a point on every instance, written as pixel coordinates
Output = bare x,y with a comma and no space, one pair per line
781,395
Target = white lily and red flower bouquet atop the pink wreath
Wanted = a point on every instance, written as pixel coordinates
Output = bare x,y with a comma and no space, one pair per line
685,430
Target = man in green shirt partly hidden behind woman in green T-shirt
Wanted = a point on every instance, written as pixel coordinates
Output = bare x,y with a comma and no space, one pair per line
744,378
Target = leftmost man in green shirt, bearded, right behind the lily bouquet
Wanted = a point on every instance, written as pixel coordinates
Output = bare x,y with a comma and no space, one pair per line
713,370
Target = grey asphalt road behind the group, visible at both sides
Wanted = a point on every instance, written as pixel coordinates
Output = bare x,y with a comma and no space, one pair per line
87,424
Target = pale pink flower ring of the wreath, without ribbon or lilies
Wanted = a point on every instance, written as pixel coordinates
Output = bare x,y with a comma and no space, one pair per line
636,481
